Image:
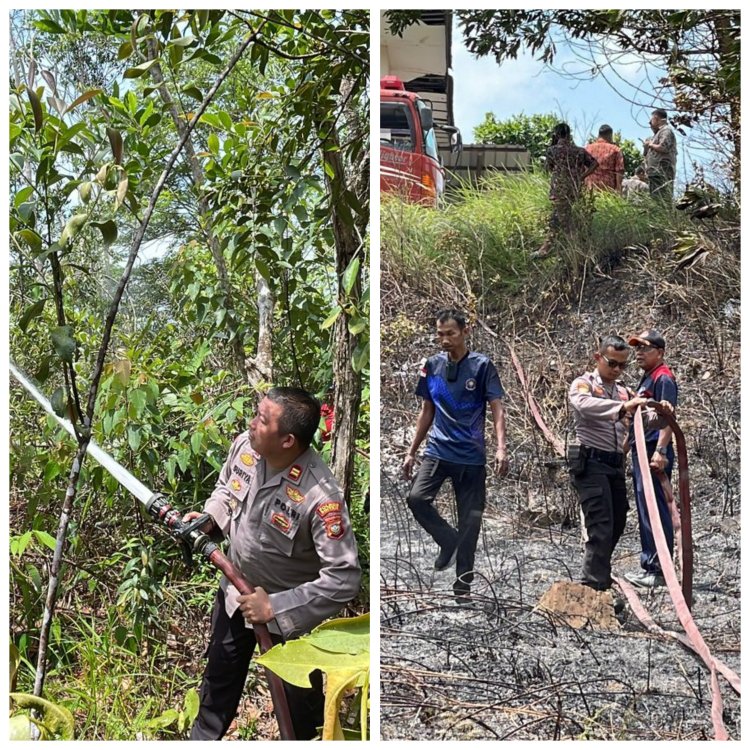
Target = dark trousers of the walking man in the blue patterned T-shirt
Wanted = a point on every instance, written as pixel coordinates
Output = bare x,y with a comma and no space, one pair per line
469,486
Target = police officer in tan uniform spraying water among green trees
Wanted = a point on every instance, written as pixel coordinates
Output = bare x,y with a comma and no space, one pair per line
289,532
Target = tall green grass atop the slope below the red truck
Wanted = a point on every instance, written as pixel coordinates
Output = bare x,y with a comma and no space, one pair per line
488,233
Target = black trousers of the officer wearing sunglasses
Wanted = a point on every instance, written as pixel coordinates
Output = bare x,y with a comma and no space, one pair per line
604,501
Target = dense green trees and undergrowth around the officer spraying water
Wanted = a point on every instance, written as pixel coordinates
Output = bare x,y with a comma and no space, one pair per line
188,221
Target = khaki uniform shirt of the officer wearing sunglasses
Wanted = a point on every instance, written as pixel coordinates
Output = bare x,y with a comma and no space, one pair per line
596,408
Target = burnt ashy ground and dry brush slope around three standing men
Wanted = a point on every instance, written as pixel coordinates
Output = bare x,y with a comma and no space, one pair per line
499,669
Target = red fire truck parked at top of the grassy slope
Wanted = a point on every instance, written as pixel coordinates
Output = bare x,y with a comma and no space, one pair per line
409,161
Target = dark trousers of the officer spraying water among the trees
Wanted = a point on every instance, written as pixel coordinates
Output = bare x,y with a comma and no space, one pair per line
229,652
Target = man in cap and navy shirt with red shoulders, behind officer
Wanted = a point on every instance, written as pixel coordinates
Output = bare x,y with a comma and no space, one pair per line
657,384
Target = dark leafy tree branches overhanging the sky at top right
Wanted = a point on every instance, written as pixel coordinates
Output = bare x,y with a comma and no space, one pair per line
697,50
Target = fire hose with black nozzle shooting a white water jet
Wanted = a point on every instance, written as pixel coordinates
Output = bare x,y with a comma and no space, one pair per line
190,536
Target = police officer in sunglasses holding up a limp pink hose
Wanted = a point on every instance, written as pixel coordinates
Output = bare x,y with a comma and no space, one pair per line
601,409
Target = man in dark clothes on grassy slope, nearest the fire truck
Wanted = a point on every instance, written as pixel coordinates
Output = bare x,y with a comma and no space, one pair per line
569,165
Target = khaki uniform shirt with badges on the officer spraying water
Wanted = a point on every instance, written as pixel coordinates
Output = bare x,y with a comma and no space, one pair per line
289,534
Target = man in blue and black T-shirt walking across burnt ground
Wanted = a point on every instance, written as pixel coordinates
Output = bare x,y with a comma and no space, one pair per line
455,386
